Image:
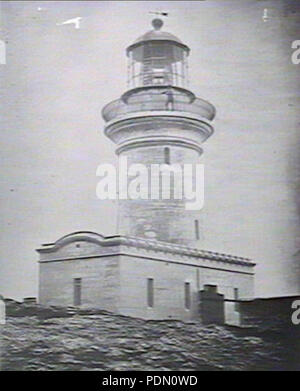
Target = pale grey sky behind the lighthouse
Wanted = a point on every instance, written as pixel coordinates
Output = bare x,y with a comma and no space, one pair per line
57,79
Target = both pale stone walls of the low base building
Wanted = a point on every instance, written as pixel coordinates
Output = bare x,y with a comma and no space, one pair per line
114,278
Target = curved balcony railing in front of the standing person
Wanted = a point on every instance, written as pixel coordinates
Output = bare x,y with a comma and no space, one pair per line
158,102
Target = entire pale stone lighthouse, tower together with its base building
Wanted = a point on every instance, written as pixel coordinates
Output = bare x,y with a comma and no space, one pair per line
153,268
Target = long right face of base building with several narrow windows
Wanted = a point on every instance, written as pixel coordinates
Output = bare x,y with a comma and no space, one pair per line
169,279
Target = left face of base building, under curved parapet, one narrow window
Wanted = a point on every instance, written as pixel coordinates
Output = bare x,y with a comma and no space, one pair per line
99,279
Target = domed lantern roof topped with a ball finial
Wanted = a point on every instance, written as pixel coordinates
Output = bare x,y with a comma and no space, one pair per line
157,35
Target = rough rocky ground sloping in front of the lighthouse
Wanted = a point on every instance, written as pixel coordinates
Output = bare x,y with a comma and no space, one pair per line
95,340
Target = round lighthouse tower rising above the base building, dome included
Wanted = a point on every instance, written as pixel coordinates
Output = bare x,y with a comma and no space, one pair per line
159,121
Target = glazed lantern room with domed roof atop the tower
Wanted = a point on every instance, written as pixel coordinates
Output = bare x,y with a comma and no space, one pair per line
157,58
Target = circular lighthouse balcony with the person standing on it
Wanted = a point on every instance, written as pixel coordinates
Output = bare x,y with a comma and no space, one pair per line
158,99
